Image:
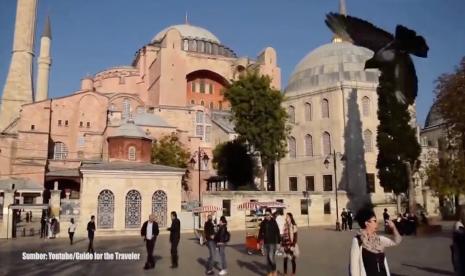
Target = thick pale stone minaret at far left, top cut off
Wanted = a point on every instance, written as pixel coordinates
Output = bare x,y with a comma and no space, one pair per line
18,86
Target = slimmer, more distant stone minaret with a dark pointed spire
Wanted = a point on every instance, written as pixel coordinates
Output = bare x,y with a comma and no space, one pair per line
44,63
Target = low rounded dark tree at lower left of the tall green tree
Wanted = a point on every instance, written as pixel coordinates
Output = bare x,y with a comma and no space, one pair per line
232,160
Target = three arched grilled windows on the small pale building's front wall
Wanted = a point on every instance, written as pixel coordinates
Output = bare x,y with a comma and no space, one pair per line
106,209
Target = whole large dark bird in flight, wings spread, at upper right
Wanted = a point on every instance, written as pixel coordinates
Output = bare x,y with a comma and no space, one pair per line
391,53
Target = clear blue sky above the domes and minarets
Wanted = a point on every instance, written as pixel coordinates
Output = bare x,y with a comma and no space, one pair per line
89,36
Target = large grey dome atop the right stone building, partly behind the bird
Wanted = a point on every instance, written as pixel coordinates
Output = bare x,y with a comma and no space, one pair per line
329,64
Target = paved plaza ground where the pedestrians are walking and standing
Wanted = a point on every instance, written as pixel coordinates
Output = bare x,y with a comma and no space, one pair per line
323,252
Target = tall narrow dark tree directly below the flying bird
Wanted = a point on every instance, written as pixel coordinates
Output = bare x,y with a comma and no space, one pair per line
396,139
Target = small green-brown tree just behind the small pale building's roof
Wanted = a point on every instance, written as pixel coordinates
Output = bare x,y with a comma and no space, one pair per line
169,151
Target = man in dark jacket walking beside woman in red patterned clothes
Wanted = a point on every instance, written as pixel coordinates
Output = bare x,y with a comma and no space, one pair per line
270,238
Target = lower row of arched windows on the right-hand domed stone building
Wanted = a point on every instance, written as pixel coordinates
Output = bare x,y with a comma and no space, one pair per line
326,142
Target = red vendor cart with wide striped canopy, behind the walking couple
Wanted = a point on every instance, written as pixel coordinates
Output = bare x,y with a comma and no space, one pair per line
254,215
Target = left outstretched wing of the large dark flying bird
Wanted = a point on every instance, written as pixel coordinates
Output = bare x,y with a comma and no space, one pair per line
358,31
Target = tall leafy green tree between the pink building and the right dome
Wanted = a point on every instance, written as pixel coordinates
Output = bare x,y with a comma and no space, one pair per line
259,118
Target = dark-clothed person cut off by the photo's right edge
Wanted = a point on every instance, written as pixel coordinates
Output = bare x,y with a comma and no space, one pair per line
458,245
